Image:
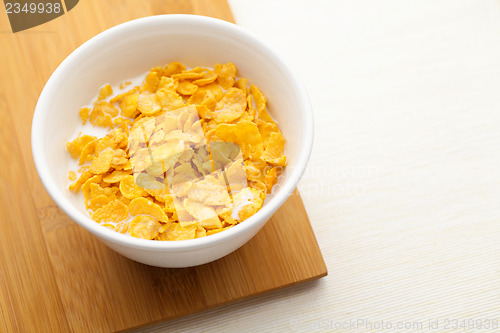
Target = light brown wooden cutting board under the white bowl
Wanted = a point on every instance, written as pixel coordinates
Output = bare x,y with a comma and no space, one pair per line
54,275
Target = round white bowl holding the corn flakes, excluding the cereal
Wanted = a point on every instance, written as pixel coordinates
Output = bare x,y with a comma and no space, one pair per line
131,49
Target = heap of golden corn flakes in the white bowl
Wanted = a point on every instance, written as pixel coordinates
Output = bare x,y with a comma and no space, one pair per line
189,153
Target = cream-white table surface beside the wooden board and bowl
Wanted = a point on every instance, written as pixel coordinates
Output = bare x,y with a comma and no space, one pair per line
403,185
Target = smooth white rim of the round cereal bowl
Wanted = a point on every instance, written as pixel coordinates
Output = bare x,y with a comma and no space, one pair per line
107,234
